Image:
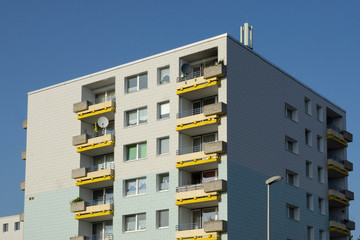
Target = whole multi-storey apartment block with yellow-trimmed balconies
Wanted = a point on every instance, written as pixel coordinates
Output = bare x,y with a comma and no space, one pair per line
188,139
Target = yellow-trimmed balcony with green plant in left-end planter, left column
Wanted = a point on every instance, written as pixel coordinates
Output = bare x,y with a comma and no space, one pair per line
93,211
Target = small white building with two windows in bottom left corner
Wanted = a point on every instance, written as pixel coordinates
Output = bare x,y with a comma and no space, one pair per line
11,227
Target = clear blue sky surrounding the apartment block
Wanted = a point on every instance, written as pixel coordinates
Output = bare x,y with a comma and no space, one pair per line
47,42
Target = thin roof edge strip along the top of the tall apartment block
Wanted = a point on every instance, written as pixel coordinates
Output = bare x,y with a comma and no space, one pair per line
178,49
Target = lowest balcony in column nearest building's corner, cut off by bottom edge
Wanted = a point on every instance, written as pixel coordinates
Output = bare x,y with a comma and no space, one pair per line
205,231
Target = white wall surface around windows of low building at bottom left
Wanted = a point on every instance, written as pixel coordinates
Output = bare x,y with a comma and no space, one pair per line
11,233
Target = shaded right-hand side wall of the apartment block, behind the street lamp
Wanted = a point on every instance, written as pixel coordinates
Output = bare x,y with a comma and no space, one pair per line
257,93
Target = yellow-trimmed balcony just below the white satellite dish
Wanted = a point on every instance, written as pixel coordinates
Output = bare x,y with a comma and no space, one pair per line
94,144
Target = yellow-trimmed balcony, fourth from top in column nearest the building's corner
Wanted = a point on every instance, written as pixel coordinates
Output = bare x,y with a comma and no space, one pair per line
200,195
